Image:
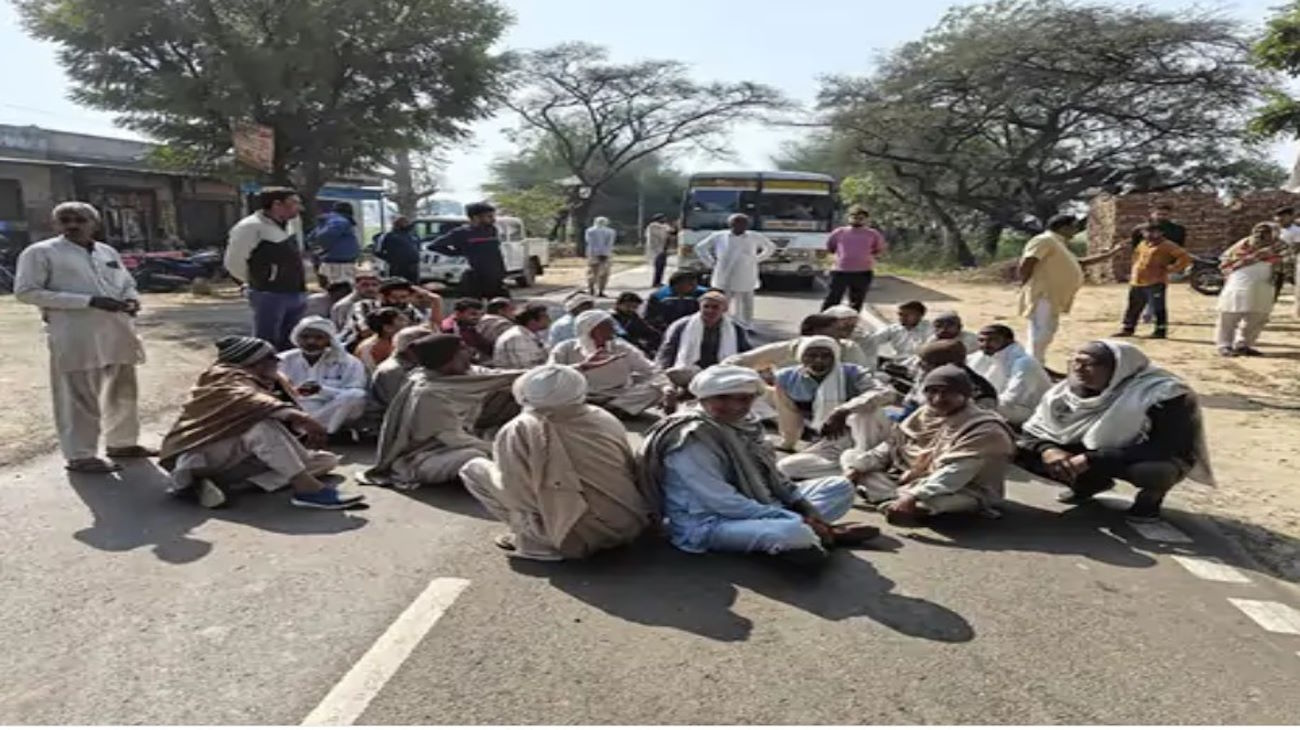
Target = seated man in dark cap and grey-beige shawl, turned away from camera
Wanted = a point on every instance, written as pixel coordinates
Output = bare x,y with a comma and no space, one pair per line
435,425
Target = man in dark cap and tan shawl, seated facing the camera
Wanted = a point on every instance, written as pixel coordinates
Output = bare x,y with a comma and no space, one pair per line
950,457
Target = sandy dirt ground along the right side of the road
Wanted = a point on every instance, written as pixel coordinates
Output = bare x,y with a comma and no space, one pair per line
1253,406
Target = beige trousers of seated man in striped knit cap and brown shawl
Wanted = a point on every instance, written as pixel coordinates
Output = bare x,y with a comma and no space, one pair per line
268,455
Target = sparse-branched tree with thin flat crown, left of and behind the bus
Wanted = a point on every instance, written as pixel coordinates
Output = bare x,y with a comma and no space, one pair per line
601,118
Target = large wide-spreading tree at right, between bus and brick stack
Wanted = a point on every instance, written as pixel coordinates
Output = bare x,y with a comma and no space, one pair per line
1017,108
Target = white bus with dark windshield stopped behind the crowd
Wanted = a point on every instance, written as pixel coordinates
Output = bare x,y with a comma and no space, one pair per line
796,211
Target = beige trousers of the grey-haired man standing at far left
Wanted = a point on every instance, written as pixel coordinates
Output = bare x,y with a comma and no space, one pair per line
86,398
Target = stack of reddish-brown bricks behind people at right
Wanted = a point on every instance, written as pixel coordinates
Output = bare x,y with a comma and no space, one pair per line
1211,225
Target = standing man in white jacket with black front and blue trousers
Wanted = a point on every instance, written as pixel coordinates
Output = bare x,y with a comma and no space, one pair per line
265,255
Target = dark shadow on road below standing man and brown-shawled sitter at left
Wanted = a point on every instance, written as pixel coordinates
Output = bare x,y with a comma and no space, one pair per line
132,510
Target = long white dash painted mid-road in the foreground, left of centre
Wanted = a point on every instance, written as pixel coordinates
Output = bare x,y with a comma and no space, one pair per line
353,694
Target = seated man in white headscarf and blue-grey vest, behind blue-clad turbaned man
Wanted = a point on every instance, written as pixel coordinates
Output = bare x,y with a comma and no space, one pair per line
839,402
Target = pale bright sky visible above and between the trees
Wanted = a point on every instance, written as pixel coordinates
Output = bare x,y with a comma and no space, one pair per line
770,42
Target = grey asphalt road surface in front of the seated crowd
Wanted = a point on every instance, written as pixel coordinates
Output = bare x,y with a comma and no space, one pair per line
125,607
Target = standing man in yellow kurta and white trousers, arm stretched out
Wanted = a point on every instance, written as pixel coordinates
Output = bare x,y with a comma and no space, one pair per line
1051,277
